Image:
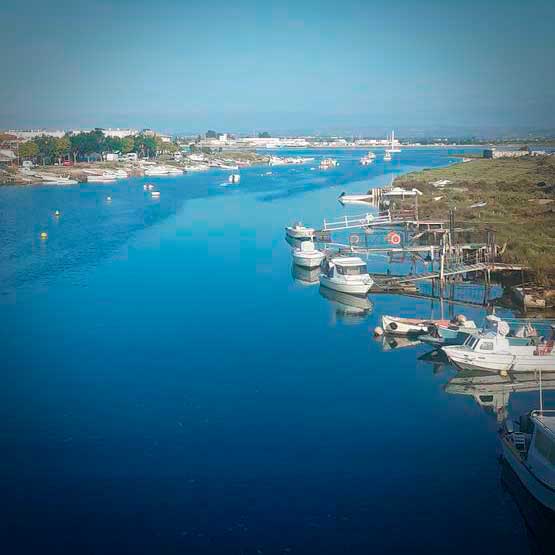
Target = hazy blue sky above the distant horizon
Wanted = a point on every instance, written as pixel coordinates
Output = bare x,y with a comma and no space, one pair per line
361,67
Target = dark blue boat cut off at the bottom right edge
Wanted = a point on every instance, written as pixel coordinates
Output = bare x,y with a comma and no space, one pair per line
529,448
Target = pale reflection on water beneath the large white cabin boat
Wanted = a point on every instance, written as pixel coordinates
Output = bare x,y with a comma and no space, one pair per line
493,391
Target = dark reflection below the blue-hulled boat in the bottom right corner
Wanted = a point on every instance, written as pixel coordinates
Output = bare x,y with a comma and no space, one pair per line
539,521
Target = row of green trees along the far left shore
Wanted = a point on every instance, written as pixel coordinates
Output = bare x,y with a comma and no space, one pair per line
83,146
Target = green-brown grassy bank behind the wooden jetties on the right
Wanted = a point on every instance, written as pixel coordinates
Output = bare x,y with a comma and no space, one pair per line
520,197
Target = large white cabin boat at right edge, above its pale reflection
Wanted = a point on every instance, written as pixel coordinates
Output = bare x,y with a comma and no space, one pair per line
492,351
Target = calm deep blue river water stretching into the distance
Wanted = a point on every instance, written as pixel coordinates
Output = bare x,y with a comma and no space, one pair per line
168,387
